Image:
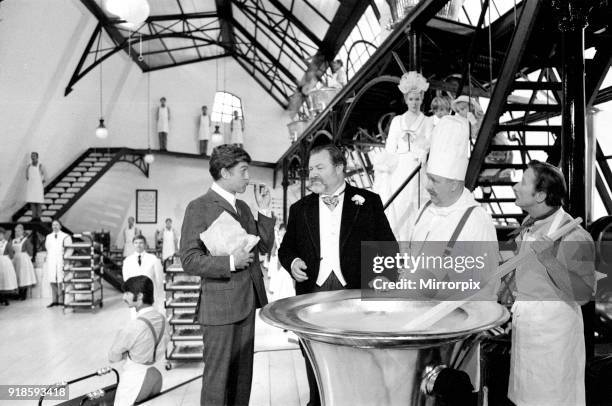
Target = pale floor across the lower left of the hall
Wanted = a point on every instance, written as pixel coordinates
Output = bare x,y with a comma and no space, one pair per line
43,346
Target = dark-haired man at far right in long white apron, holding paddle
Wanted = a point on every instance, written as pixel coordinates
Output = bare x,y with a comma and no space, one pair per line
547,361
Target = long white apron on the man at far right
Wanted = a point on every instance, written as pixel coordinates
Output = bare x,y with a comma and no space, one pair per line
548,355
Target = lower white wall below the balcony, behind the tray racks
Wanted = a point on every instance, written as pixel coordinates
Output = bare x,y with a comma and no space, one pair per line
109,203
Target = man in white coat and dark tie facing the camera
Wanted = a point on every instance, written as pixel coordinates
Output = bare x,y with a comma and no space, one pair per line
143,263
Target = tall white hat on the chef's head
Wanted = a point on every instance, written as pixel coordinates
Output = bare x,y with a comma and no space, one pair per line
450,149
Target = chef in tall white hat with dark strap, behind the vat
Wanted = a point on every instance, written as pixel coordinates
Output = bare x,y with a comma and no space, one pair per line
452,214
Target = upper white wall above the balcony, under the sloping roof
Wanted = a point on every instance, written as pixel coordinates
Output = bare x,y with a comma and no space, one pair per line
41,42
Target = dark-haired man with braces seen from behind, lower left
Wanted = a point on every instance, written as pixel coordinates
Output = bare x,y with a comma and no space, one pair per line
141,344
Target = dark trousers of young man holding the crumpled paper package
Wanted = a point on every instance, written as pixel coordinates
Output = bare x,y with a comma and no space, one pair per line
228,363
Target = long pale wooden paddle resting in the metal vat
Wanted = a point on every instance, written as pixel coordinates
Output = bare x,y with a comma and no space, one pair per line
439,311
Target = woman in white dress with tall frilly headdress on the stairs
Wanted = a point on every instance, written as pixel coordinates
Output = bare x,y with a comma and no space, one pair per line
406,146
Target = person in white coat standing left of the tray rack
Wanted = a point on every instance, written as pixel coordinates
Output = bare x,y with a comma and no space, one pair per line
54,262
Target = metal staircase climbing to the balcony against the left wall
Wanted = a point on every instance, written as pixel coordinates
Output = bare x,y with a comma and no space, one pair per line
68,187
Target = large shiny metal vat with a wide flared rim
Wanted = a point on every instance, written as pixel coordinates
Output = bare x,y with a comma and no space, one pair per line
362,355
